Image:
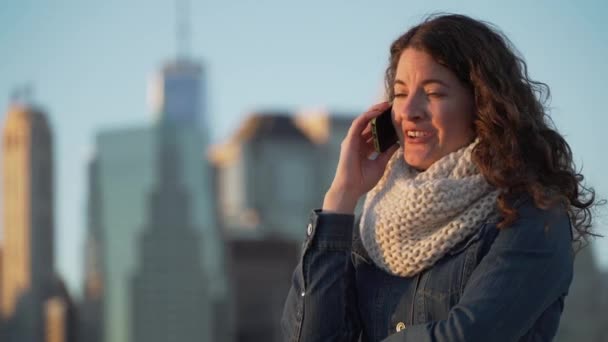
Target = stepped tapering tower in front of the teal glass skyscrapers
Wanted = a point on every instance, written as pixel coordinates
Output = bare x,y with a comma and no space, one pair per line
170,301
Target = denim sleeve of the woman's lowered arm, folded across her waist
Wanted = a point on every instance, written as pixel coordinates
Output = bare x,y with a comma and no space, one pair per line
527,268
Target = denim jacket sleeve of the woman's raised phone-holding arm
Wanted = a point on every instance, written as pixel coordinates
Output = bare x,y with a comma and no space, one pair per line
321,304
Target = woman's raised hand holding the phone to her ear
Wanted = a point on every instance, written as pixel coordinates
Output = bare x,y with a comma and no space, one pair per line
356,173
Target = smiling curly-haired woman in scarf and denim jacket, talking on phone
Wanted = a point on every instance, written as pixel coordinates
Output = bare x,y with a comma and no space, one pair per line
466,230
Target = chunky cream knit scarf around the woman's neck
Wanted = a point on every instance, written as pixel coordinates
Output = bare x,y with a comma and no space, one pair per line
411,219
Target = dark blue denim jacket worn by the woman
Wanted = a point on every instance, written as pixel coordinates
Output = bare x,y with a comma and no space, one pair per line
496,285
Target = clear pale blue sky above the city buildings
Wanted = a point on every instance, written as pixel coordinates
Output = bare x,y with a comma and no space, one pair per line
90,62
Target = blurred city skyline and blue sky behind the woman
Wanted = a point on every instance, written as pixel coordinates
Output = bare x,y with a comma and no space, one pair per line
160,158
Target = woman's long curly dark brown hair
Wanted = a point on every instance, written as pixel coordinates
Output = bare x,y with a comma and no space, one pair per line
519,150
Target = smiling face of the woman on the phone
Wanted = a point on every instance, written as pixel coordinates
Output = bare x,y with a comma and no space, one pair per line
432,109
